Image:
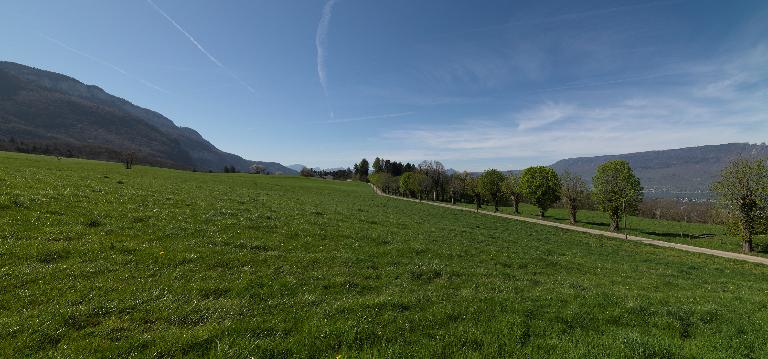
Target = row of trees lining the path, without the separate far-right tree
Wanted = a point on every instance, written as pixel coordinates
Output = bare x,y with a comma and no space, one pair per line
616,189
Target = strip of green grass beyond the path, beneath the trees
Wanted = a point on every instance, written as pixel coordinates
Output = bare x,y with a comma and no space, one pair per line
694,234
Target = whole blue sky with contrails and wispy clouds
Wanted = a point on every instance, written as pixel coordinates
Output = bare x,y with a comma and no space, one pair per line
475,84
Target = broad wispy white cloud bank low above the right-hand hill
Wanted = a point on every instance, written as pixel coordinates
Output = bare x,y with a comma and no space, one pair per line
729,104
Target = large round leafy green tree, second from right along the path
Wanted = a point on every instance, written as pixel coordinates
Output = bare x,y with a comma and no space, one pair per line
616,190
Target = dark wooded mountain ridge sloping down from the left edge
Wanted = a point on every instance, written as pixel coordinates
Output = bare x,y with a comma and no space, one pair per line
44,110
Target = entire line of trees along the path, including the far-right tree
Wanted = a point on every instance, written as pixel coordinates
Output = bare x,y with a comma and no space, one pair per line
742,190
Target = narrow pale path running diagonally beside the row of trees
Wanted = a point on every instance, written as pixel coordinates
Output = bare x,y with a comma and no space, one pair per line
654,242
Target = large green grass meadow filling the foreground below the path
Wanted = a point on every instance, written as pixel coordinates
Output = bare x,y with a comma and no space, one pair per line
96,260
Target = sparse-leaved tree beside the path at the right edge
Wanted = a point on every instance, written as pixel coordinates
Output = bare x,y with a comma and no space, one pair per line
743,192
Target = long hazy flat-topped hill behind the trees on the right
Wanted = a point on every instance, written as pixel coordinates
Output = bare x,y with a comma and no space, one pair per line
684,172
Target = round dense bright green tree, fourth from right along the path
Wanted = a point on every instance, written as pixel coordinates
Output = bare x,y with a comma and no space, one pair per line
541,186
